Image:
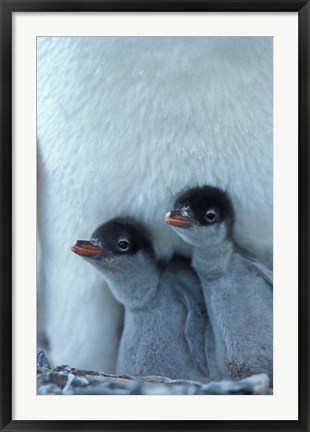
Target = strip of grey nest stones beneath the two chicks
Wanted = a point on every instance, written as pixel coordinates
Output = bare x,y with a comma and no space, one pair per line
66,380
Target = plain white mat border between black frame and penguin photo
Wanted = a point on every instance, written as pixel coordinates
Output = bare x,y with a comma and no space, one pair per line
283,404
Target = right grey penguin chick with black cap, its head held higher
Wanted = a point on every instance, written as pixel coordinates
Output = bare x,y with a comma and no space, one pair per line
237,290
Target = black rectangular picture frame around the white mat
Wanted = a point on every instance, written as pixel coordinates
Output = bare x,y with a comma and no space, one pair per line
8,7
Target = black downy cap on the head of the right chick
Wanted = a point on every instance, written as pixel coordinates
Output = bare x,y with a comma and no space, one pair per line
207,205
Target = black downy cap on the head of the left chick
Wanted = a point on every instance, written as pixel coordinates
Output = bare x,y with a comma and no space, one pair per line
124,235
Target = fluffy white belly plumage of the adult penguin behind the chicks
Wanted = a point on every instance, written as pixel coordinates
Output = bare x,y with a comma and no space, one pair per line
123,125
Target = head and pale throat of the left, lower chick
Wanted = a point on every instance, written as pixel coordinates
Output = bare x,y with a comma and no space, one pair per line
121,249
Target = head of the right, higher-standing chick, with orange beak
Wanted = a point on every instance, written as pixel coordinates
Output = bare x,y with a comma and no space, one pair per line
202,216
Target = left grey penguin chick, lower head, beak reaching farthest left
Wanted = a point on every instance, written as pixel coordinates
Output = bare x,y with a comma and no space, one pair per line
164,321
